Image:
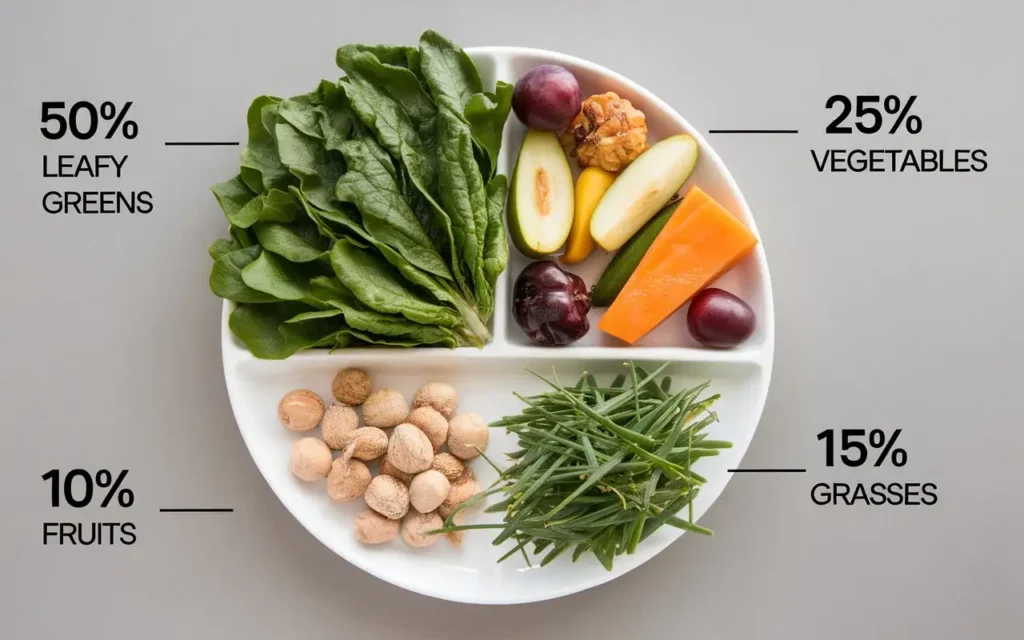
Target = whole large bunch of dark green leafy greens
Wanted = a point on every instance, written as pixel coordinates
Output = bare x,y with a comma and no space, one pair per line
369,212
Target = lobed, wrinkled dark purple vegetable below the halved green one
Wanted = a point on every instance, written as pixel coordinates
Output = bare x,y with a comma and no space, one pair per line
551,306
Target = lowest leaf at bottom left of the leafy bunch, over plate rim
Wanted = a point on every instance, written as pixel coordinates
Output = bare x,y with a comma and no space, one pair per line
262,328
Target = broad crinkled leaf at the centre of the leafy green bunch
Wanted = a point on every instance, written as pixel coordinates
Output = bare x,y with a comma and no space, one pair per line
370,185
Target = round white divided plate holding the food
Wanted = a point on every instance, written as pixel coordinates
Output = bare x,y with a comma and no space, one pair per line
486,379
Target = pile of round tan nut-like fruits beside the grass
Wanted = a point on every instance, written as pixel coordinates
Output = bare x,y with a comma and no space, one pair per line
417,485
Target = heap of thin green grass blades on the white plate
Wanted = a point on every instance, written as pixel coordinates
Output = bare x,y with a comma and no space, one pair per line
601,470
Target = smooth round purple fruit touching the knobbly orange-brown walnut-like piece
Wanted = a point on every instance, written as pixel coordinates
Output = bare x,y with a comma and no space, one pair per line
547,98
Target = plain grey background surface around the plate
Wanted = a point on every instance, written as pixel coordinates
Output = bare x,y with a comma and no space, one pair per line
899,303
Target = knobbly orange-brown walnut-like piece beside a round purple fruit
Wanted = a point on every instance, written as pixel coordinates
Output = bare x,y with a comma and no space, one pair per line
609,133
